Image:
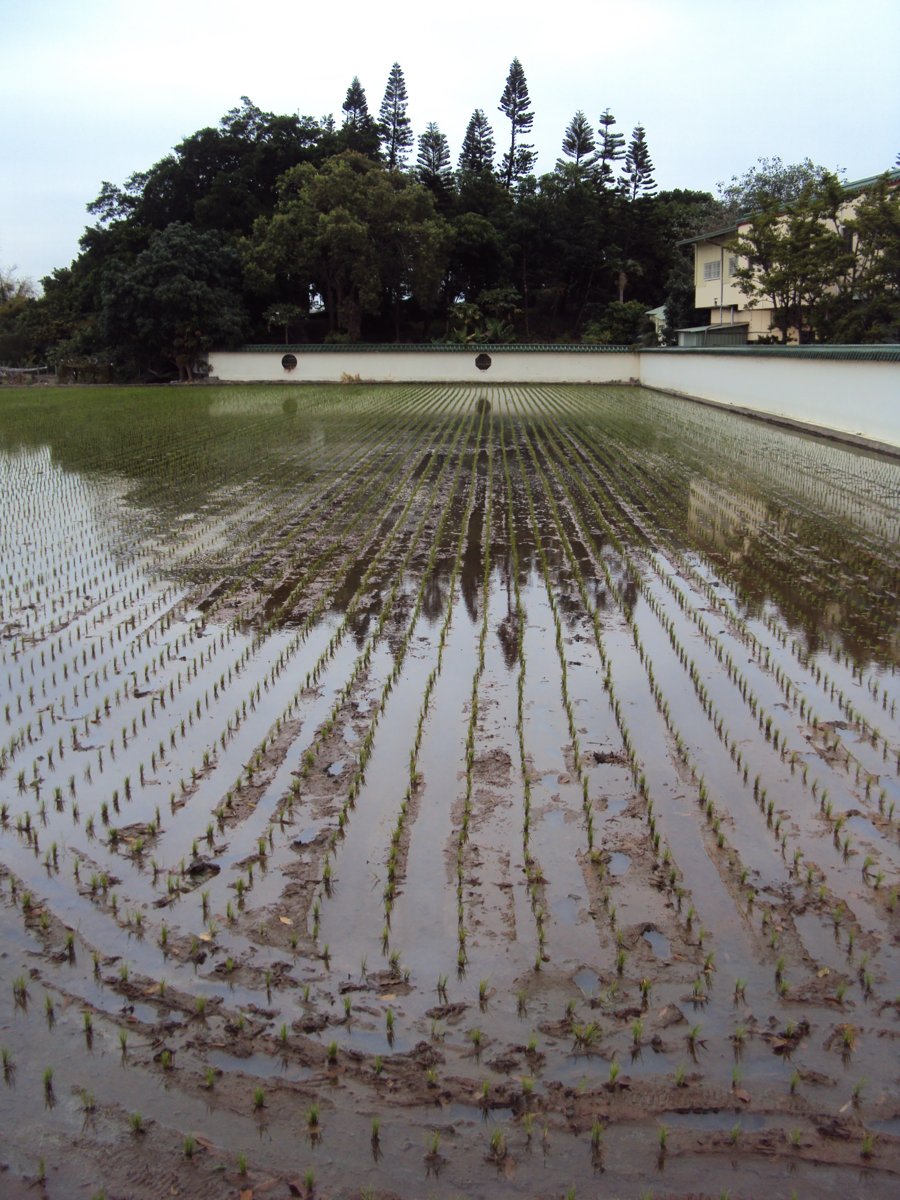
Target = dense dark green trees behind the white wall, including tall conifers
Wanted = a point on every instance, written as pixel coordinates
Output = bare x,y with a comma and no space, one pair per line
317,230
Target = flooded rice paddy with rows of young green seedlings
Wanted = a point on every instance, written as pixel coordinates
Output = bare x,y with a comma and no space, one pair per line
431,791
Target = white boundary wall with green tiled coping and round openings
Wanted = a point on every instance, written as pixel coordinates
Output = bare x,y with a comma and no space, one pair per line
855,395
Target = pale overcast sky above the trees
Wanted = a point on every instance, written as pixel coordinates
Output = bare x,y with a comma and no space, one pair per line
98,89
